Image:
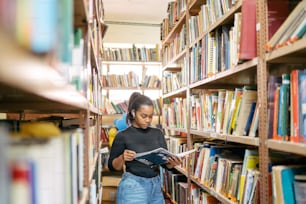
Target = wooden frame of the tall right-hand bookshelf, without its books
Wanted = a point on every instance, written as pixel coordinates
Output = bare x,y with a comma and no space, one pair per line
253,72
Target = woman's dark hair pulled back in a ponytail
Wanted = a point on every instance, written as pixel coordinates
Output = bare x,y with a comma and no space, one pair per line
136,100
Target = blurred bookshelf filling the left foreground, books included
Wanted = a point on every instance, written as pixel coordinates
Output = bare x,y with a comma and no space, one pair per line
36,86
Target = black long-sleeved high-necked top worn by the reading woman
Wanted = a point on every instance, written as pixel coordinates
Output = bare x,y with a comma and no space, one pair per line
138,140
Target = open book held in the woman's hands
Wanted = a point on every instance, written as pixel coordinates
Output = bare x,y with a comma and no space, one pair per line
159,156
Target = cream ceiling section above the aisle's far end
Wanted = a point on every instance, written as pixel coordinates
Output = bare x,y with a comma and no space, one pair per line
135,11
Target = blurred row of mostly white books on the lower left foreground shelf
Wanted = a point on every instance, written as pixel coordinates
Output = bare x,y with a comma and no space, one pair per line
43,166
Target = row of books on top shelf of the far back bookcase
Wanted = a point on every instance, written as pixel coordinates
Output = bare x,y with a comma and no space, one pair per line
141,54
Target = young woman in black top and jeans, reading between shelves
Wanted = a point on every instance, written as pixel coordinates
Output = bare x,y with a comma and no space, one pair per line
140,183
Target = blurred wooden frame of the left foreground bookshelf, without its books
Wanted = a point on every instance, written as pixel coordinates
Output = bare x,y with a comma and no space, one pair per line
32,86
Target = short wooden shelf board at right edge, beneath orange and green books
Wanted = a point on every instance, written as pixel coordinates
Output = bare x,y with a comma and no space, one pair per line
284,146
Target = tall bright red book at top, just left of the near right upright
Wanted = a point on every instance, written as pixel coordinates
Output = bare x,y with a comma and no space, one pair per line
248,30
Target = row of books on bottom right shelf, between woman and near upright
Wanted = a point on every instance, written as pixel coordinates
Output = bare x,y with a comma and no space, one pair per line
229,170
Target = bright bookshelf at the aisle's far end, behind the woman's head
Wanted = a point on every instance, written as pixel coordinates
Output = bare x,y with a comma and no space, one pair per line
127,68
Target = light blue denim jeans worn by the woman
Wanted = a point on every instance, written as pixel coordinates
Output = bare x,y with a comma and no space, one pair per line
139,190
